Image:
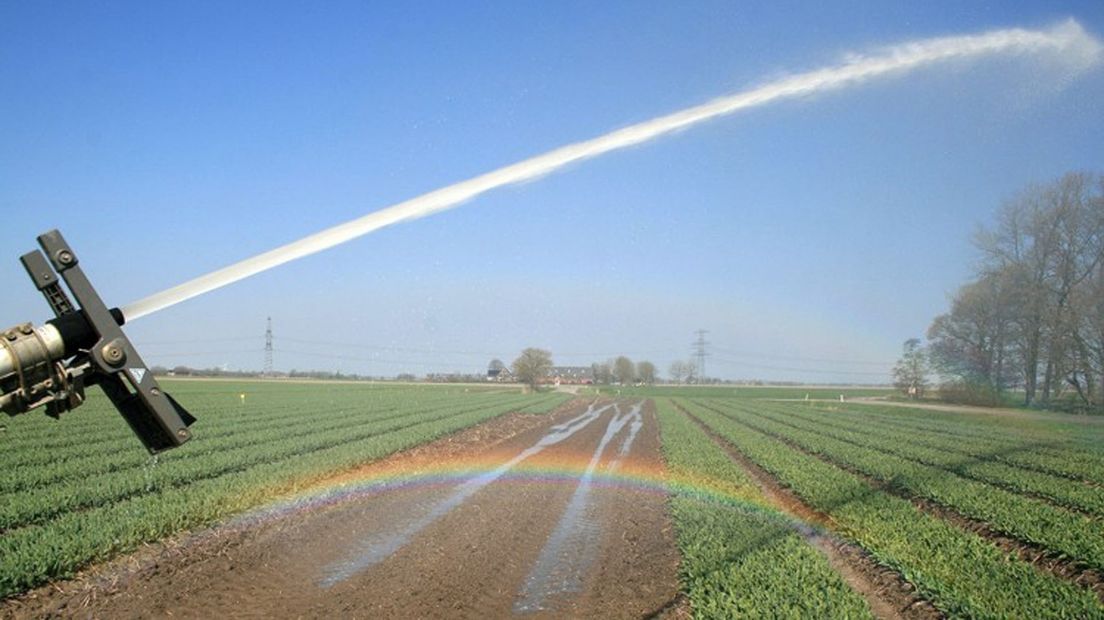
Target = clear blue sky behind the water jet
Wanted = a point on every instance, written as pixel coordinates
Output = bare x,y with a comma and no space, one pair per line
171,141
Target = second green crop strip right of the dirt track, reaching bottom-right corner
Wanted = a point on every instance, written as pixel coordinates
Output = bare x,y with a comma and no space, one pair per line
961,573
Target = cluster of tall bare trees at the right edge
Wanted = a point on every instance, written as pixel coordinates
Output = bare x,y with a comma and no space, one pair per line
1033,318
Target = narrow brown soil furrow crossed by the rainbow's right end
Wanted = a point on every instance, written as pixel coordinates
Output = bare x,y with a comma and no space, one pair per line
889,595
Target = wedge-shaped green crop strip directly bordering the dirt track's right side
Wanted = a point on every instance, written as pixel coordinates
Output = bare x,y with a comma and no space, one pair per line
739,558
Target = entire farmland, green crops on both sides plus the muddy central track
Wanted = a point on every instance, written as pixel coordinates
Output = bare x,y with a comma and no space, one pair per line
411,501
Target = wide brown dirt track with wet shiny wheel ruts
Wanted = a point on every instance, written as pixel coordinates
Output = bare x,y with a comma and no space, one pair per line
489,544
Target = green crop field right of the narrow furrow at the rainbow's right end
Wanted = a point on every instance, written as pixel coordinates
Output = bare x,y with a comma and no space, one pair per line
973,516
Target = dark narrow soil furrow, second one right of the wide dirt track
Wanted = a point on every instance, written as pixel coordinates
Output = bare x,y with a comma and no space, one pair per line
1038,557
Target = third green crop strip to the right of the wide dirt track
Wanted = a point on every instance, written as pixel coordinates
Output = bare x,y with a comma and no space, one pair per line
1033,521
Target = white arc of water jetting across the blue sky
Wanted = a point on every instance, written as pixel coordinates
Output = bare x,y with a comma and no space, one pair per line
1069,41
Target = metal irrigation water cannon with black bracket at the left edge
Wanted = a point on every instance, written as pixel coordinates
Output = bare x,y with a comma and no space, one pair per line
50,366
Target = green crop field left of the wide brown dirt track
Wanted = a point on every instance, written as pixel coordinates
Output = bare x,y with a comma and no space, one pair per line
82,490
